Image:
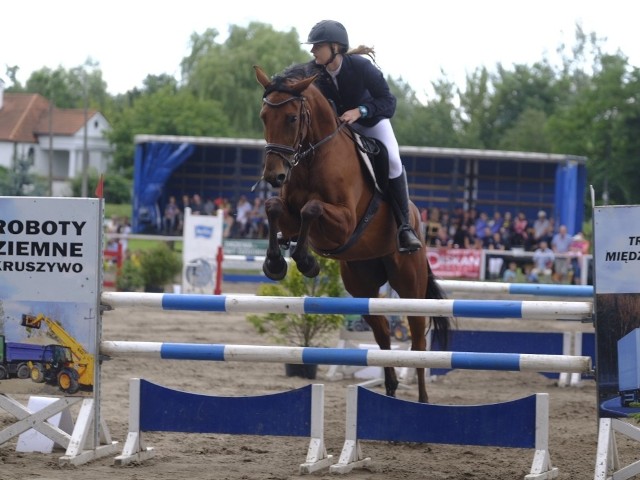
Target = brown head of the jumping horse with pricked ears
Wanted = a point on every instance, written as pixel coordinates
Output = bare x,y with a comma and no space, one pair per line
286,118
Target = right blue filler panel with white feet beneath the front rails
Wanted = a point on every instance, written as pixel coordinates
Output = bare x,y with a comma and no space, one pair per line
521,423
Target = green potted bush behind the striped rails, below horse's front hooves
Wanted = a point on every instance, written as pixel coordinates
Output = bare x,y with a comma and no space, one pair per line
303,330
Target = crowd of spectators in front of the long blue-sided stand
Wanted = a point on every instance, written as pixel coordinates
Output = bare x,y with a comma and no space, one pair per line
556,253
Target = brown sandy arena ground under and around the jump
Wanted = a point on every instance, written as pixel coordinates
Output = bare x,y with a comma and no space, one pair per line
573,424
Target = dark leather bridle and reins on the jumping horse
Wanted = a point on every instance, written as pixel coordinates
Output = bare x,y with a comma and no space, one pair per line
291,155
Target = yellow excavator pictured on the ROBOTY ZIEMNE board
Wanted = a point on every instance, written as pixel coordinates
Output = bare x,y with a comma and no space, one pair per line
71,368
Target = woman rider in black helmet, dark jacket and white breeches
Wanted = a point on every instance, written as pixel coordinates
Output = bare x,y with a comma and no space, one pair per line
362,99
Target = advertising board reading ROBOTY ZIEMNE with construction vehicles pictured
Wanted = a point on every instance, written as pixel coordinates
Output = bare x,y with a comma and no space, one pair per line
50,279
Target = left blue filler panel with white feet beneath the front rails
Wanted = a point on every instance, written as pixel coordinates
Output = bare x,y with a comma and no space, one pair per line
294,413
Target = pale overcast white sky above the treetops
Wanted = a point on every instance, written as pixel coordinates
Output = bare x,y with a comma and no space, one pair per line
420,42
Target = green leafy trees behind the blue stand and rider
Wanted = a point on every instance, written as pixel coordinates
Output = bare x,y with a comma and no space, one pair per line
588,105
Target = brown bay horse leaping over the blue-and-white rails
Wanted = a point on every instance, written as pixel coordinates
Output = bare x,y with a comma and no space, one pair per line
329,203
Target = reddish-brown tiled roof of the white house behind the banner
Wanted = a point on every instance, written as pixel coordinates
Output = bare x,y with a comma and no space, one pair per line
24,116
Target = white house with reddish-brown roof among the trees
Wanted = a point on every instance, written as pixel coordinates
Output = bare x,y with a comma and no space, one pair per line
30,126
